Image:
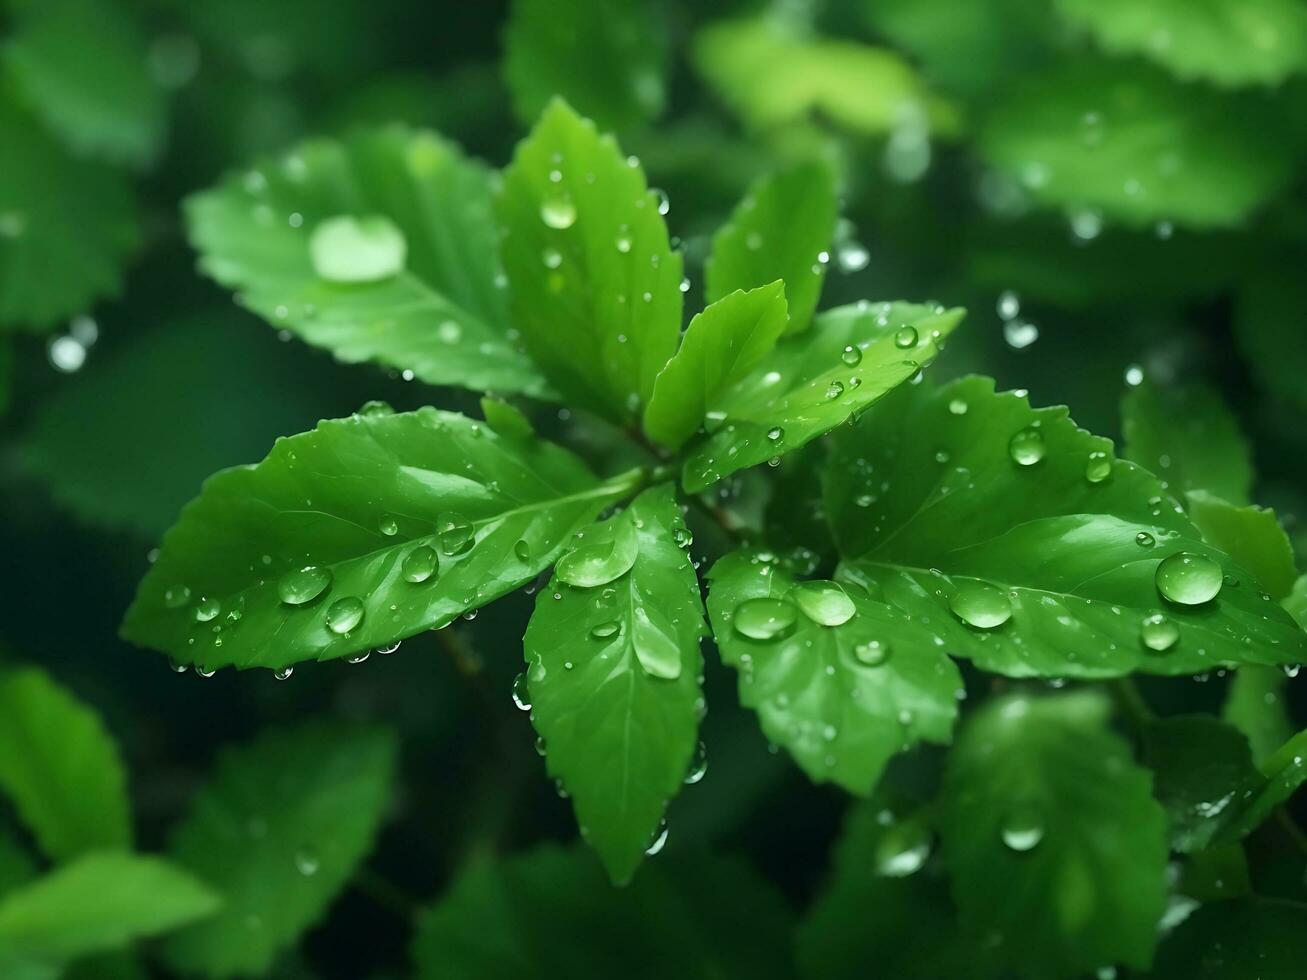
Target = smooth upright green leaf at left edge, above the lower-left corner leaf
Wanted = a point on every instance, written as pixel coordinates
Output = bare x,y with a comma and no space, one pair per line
61,768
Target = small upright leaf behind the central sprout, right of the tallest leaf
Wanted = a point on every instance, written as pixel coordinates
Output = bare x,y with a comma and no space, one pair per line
782,231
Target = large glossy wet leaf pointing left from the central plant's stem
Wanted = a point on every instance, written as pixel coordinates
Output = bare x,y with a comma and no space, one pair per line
406,521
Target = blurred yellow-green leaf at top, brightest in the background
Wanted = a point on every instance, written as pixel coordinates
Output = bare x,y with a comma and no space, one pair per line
770,75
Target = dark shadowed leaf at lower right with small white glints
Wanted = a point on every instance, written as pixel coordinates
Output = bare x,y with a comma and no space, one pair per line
1199,764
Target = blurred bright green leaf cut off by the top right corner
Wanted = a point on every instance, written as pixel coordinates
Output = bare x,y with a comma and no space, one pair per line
1225,42
